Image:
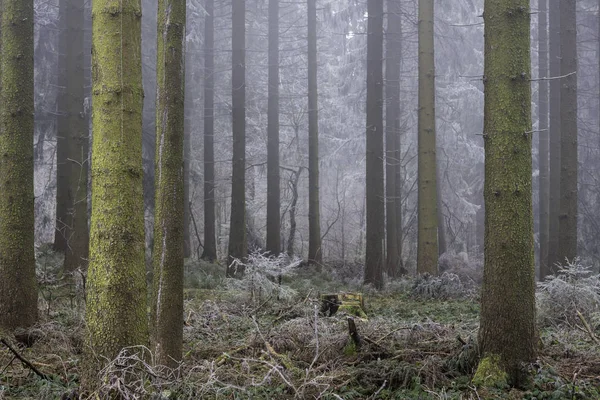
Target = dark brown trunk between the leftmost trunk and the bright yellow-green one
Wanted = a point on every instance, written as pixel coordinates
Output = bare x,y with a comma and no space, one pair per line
72,235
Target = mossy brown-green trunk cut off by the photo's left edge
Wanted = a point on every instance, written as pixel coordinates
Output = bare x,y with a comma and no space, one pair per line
18,285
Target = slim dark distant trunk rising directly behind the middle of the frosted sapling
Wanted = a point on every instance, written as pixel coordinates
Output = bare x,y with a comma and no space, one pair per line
273,181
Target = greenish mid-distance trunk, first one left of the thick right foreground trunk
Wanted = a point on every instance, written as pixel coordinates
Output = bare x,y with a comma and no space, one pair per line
427,251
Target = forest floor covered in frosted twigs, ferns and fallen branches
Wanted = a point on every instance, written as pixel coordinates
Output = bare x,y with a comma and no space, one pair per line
255,339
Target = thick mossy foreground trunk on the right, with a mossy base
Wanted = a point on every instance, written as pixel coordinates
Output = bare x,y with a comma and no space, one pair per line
507,335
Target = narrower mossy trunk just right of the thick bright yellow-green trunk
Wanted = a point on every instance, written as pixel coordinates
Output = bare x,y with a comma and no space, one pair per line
167,257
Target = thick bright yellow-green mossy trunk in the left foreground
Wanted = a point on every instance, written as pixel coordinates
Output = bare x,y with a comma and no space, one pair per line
116,293
